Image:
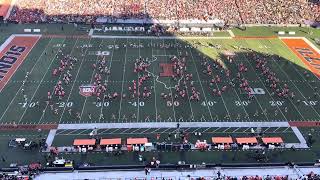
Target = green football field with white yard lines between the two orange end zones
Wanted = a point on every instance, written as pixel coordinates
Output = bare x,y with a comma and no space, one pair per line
24,98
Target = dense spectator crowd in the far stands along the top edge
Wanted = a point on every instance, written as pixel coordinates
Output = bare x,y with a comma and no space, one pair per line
231,11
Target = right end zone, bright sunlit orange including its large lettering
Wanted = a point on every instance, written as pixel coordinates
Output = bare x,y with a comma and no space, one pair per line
309,56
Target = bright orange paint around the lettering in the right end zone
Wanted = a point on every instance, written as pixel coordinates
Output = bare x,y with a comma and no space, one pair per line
293,44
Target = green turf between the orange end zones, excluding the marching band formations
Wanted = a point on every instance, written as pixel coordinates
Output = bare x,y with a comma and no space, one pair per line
233,105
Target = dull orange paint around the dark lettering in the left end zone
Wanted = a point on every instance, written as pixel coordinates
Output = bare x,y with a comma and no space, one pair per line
28,43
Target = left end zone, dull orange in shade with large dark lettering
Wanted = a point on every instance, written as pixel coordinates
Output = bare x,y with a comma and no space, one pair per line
12,56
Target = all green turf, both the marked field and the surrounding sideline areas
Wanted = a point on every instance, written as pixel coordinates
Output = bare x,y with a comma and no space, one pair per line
120,55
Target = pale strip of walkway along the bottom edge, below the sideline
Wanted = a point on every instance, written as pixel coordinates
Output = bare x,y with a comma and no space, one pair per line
292,173
